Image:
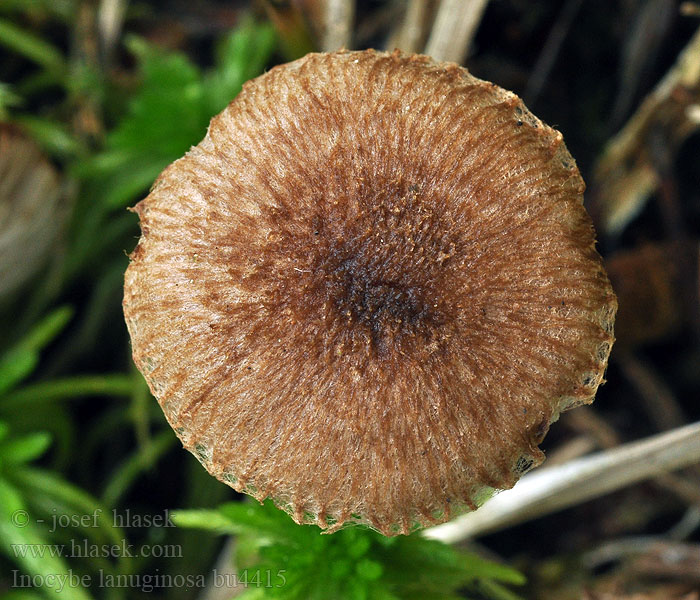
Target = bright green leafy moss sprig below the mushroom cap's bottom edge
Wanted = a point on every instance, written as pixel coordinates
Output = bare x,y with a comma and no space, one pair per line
351,564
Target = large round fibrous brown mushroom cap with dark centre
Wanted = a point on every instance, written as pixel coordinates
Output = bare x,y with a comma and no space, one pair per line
369,290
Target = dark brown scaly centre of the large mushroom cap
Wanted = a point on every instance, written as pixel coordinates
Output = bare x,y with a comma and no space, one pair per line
371,269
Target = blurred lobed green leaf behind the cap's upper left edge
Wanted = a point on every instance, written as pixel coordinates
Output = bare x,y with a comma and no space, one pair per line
170,111
